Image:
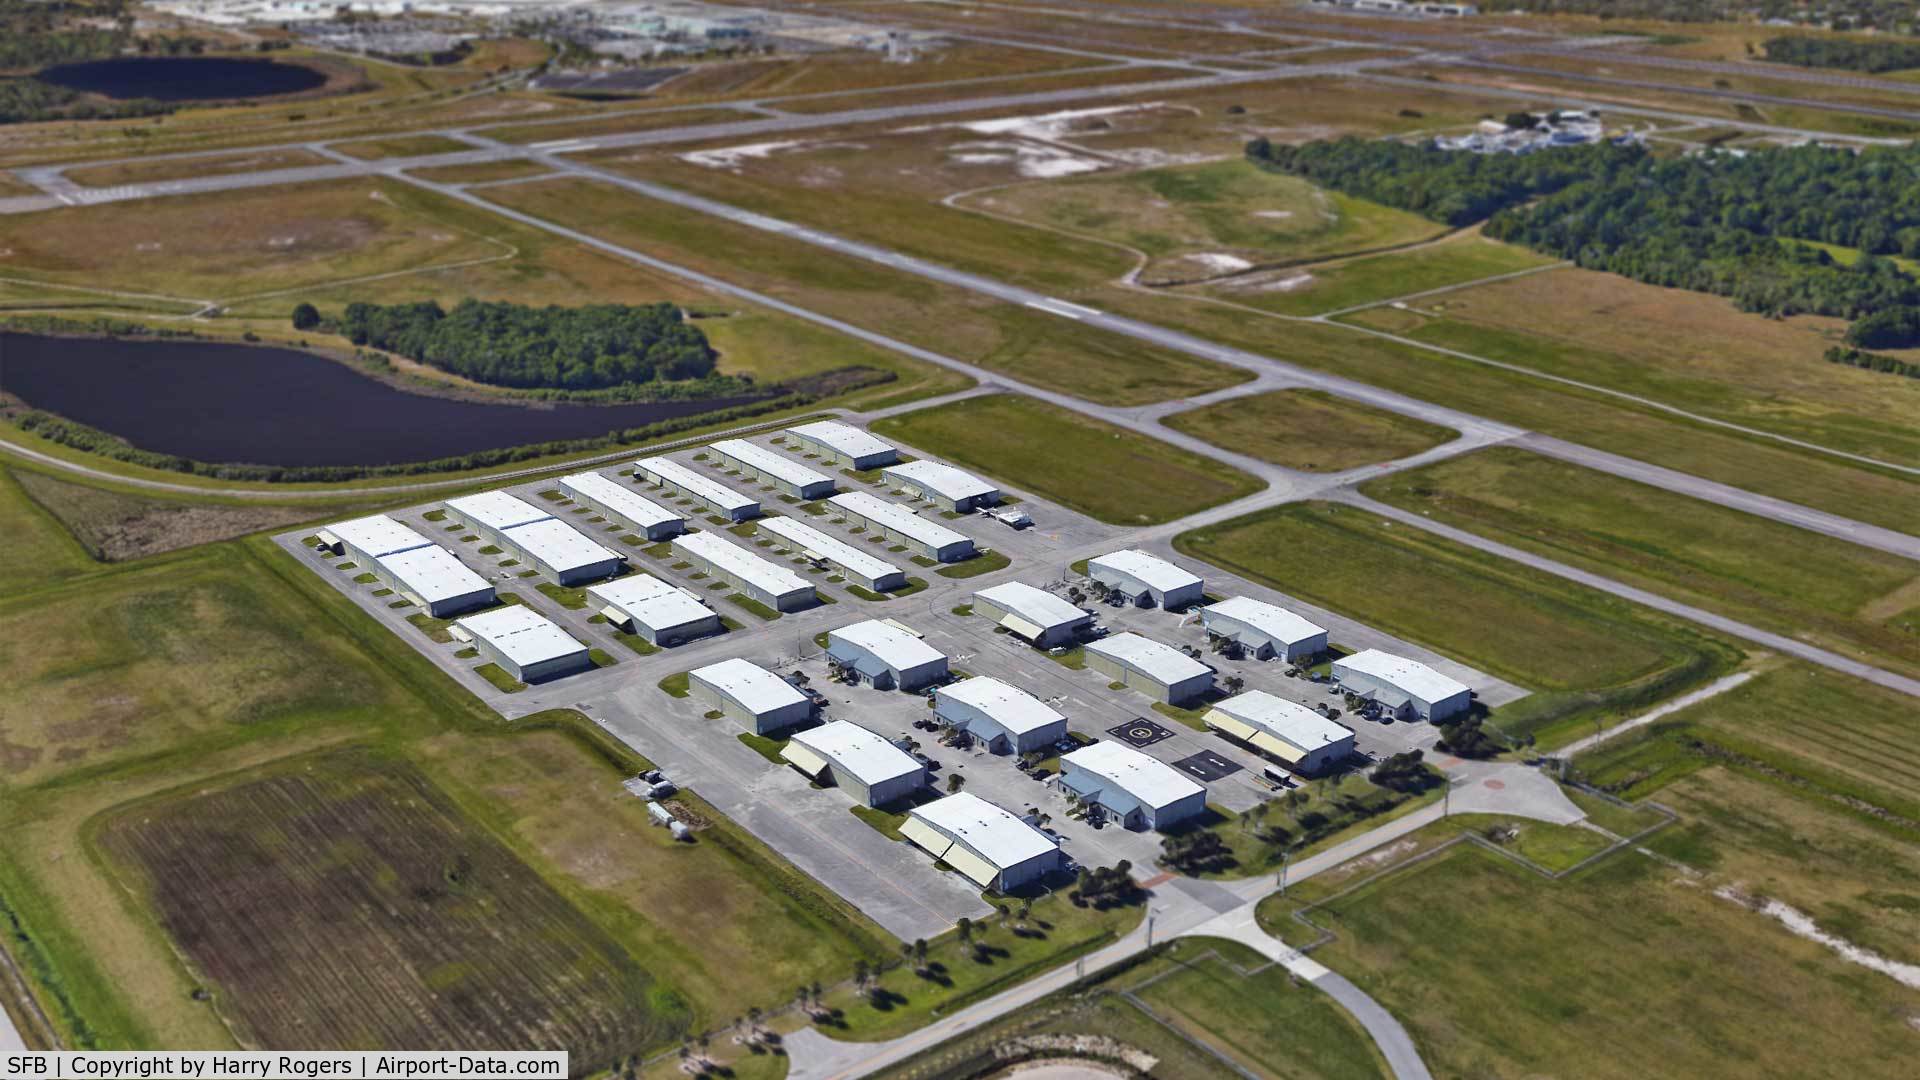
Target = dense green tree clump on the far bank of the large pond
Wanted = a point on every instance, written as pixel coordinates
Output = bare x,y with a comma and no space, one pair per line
540,349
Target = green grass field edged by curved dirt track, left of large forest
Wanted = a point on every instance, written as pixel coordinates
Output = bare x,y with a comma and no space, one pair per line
1188,218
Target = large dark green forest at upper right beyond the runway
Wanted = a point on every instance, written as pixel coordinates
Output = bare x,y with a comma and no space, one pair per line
1733,226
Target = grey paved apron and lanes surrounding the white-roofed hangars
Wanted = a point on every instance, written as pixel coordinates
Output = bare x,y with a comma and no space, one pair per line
890,881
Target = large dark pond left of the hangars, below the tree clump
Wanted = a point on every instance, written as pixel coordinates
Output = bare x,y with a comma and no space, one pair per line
274,406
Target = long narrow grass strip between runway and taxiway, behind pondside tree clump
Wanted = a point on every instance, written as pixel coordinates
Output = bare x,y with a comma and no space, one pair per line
1019,341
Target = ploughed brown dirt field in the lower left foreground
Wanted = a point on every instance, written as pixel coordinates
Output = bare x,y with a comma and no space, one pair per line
343,902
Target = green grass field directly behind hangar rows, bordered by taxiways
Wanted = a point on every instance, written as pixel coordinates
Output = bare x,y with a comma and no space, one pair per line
1070,458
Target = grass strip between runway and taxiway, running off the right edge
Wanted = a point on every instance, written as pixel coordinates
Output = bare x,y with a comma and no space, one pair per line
1850,599
